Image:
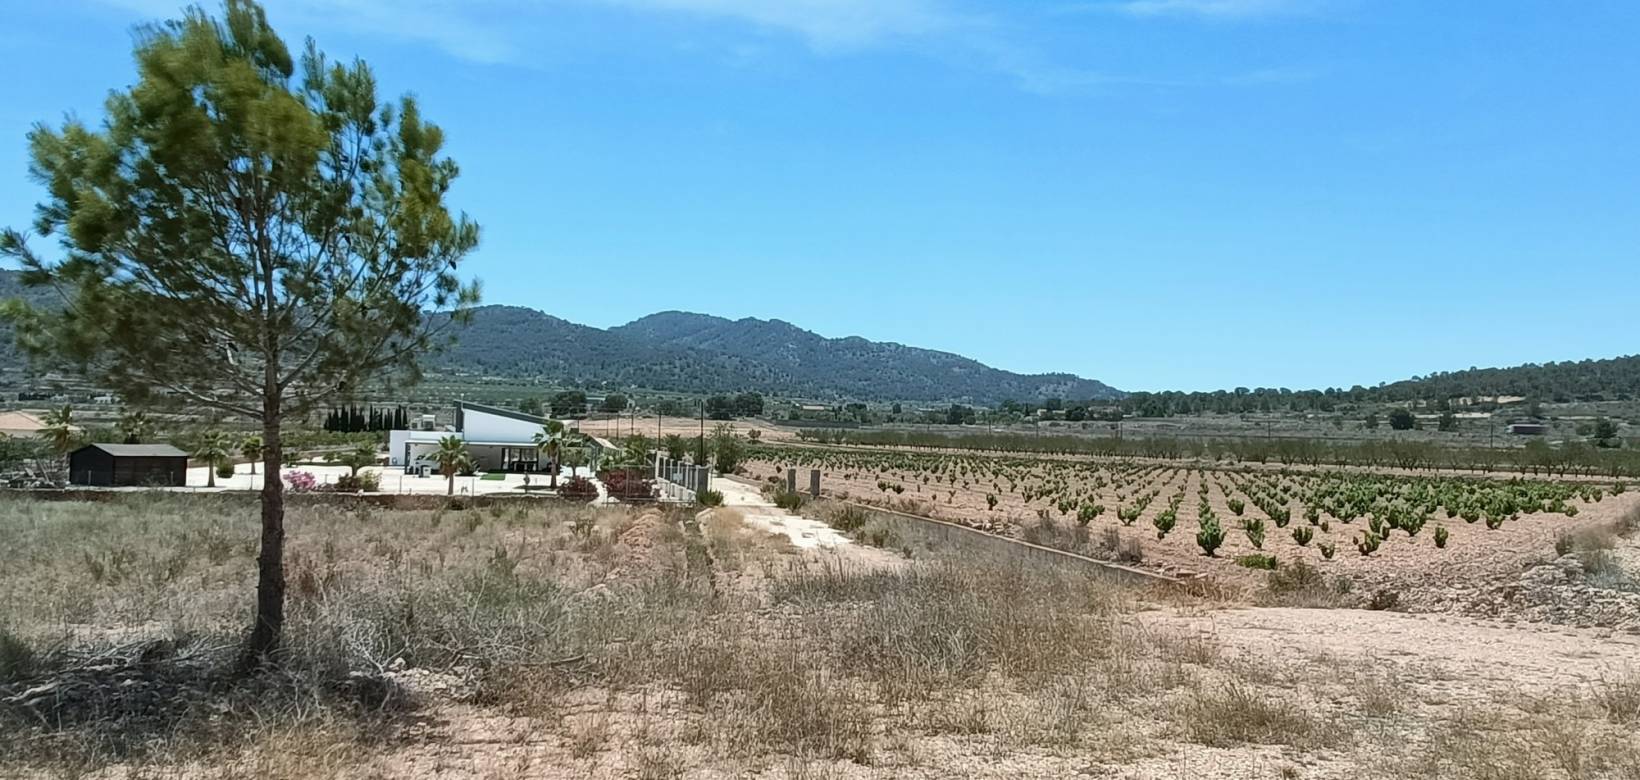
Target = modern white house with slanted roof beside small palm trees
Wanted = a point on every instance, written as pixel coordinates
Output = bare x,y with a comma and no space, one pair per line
498,440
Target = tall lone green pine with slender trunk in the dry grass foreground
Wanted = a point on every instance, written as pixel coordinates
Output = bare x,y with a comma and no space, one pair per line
245,232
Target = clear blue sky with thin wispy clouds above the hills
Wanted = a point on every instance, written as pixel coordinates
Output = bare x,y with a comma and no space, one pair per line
1159,194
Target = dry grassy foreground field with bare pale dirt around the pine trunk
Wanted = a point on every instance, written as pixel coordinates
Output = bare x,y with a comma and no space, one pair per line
635,643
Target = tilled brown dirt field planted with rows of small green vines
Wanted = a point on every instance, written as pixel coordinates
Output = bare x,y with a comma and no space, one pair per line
1474,551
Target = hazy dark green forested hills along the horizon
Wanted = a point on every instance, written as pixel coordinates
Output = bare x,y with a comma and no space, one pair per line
680,351
